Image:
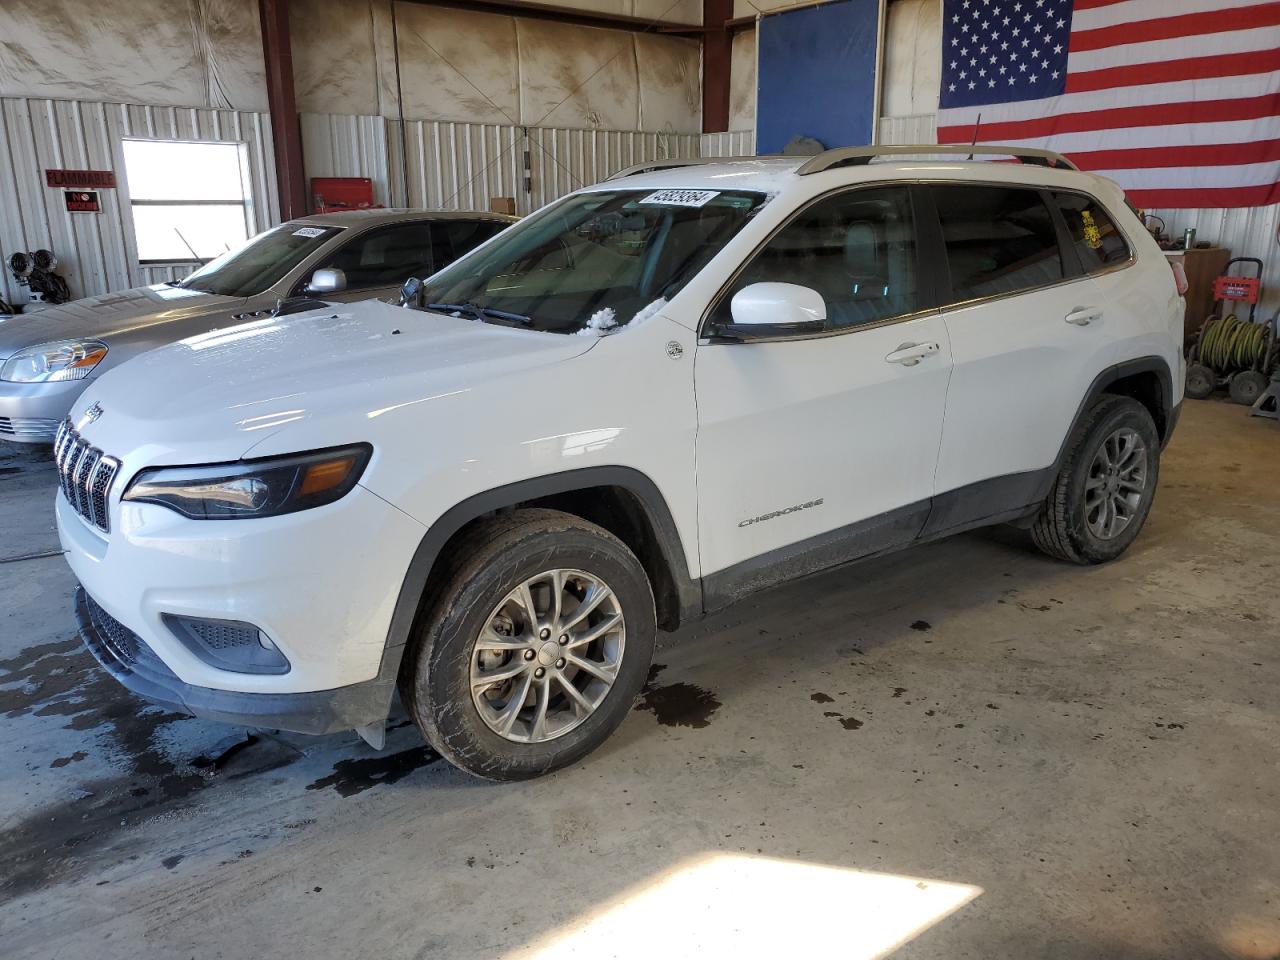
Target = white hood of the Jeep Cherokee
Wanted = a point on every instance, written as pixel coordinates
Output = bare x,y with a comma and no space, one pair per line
217,396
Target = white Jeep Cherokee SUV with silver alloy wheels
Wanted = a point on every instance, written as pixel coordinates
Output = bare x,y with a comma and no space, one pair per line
651,399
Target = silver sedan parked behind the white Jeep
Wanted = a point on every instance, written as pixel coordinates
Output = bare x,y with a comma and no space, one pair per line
49,358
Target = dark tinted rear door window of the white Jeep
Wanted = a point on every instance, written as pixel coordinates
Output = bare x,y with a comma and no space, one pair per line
999,240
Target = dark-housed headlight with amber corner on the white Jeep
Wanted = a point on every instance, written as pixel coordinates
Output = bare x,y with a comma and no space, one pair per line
254,488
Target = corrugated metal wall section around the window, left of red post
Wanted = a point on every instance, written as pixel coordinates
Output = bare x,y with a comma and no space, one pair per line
97,250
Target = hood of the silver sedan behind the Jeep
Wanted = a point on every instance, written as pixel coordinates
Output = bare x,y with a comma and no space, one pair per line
107,316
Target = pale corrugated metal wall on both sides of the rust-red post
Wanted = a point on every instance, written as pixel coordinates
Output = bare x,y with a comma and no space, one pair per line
458,166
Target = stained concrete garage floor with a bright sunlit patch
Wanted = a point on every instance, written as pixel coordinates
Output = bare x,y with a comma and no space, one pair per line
966,751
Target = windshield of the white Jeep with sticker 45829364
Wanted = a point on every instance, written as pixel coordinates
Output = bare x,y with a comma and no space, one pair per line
596,262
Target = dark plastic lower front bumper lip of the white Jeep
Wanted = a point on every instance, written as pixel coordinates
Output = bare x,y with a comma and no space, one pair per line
126,656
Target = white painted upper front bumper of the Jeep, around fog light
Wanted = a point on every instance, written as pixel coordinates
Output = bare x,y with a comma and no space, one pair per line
321,584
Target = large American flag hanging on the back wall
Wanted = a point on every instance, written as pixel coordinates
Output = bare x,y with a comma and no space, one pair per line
1177,100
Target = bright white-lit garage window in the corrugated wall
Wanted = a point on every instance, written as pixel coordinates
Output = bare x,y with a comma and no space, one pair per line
190,200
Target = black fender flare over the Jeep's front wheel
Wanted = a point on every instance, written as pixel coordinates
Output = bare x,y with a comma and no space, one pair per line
638,484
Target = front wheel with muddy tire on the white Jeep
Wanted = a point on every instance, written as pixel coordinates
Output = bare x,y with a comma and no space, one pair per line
483,593
